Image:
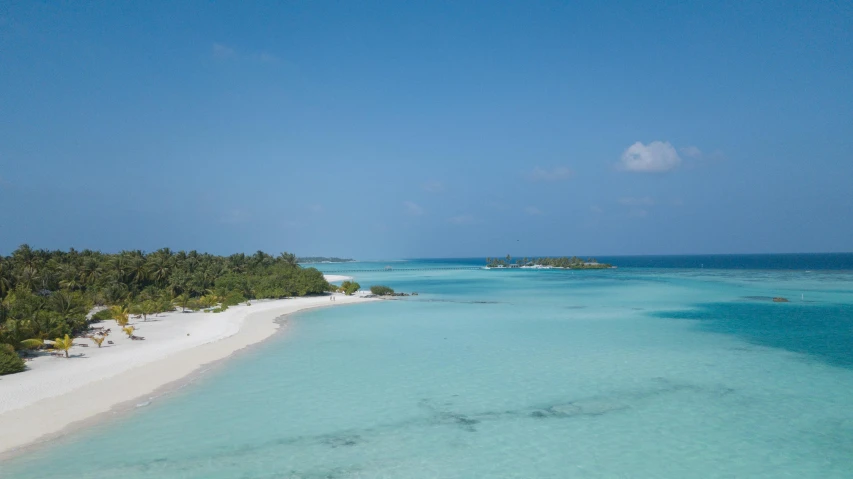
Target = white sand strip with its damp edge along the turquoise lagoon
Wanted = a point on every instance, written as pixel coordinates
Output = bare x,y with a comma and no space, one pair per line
30,422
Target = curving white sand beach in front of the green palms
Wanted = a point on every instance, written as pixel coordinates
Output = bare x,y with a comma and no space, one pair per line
56,392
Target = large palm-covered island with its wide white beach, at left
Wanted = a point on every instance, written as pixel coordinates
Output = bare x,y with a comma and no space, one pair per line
83,331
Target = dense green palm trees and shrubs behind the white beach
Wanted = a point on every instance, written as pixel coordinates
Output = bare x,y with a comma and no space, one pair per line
47,294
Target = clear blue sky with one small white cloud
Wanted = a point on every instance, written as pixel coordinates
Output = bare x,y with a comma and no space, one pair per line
380,130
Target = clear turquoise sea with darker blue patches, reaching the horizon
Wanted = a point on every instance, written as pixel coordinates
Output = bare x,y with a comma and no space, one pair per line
667,367
